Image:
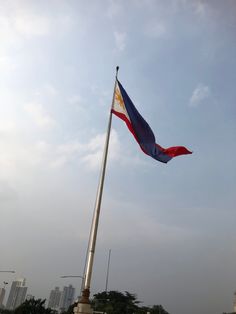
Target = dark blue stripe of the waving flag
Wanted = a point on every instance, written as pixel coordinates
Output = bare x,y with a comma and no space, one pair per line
142,130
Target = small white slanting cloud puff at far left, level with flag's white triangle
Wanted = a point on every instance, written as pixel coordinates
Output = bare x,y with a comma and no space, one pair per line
38,114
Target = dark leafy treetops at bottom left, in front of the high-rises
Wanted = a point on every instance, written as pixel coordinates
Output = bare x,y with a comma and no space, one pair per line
33,306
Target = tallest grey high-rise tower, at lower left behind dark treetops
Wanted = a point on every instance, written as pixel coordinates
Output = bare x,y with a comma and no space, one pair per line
17,294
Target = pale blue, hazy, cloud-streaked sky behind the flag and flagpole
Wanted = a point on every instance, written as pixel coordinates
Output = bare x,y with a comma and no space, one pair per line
170,227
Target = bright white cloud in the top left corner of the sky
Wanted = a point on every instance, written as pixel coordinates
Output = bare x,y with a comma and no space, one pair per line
23,19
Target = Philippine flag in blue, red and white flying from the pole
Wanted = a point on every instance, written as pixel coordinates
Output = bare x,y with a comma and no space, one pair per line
124,109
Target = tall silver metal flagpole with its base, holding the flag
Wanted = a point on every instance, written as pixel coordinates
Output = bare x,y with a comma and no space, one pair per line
83,305
